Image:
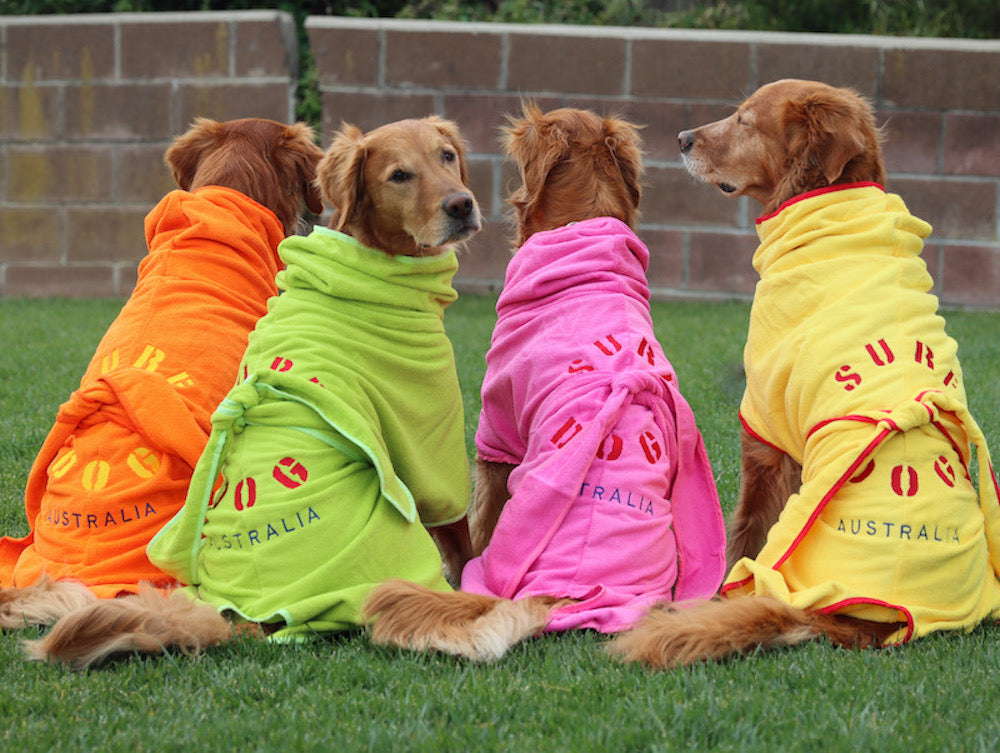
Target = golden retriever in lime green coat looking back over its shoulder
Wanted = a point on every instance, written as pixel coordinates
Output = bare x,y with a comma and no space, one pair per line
342,444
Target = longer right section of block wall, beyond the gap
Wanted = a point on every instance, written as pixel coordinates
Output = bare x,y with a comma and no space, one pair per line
939,98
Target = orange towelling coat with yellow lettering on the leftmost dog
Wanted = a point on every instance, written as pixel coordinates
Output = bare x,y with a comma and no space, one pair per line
117,463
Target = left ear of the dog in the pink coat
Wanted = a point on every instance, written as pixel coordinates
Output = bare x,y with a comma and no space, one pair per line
536,146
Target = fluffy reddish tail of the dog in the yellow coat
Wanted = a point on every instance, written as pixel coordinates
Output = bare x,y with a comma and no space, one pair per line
715,630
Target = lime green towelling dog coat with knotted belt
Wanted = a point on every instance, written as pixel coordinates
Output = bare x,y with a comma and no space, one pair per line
344,439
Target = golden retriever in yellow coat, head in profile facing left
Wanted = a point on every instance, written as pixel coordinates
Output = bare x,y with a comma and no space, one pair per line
857,516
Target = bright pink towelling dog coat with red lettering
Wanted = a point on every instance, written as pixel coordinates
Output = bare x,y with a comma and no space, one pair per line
613,502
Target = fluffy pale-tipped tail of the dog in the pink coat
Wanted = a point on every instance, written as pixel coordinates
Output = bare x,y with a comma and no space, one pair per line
481,628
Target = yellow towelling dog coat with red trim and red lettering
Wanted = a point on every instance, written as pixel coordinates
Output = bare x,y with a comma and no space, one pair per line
849,371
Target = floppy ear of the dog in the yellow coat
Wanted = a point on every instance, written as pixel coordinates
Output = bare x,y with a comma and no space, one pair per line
825,131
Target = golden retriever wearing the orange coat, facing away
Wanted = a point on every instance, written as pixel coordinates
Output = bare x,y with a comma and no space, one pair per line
116,465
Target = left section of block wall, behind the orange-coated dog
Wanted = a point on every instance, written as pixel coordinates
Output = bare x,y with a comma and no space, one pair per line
89,104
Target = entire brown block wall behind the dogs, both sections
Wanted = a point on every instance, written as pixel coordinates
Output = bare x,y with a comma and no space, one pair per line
940,98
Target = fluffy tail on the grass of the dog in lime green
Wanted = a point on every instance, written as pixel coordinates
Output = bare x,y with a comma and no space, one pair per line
149,622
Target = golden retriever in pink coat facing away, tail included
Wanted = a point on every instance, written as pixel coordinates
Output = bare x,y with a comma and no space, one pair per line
594,496
